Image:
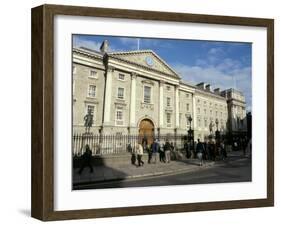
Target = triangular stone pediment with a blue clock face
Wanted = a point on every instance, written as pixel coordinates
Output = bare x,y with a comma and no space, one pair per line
145,58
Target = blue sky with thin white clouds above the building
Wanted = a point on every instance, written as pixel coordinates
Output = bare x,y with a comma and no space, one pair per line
222,64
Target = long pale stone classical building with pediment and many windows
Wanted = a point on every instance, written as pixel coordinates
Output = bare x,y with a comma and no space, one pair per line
136,92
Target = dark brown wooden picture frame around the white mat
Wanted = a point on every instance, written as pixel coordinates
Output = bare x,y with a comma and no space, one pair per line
43,112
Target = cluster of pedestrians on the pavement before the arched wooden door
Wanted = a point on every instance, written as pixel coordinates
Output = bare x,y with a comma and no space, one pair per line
156,150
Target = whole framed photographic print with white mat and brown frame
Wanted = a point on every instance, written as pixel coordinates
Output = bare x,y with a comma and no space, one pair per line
141,112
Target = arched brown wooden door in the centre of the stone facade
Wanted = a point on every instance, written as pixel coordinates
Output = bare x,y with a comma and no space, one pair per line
146,131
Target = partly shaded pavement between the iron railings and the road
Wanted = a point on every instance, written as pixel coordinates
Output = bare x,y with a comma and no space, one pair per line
128,171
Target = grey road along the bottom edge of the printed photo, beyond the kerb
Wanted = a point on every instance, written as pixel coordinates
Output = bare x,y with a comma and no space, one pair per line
236,169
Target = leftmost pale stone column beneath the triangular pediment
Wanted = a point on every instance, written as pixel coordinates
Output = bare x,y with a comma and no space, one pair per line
107,96
